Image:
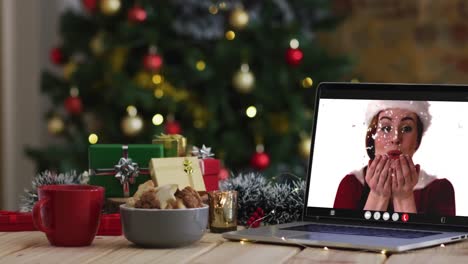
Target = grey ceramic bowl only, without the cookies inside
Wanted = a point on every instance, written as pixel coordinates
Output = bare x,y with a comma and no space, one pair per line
163,228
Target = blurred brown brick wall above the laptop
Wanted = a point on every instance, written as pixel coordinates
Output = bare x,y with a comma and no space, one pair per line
423,41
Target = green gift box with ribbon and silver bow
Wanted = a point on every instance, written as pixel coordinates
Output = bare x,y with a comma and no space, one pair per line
106,159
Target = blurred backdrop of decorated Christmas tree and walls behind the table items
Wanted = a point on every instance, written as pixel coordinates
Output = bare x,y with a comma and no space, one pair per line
237,76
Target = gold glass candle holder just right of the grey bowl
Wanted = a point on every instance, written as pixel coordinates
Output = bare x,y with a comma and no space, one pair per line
223,211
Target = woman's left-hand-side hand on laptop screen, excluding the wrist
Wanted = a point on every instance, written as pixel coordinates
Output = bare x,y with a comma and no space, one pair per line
378,177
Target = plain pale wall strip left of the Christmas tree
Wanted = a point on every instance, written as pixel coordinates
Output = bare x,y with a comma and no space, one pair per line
20,98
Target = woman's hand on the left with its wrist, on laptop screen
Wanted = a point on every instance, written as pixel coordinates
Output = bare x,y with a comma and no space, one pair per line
380,184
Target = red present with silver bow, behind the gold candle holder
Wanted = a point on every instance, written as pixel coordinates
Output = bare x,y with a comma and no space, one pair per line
209,166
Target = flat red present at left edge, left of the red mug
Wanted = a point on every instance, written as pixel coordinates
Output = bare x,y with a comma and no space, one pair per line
16,221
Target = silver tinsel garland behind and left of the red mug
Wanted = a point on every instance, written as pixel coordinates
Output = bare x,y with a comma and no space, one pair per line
29,198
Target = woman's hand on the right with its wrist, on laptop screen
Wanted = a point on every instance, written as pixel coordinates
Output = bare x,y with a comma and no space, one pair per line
404,177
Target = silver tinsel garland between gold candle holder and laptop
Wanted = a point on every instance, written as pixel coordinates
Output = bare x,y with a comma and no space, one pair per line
281,202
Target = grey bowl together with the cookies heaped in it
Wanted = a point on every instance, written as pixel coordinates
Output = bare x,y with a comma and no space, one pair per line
164,216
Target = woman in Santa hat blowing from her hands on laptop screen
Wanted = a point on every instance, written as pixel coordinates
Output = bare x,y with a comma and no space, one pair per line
391,181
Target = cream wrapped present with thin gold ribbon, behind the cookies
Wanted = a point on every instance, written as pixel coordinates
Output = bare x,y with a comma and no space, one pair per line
184,171
